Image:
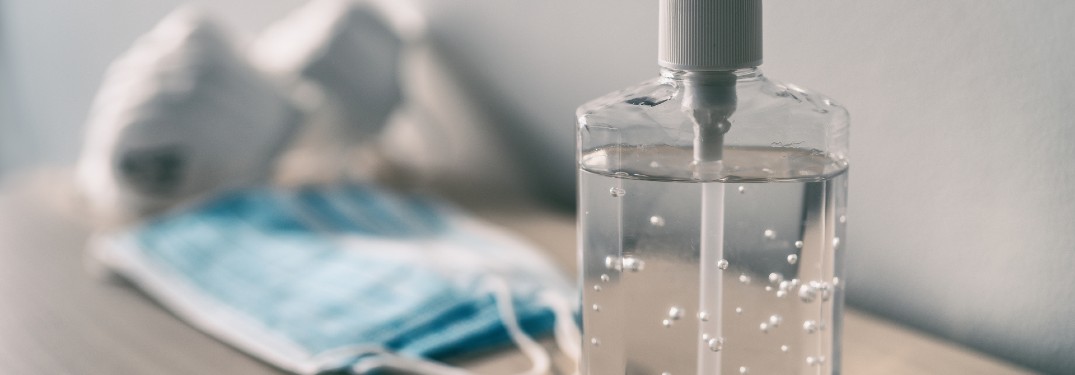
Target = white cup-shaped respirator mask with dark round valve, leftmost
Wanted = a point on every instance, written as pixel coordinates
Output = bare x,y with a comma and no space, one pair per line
180,116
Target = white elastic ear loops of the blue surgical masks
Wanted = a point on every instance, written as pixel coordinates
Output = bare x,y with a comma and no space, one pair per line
539,358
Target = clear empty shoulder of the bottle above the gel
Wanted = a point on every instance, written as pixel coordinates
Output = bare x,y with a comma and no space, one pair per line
766,123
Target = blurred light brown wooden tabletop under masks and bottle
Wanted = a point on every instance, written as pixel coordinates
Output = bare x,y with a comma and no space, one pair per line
61,316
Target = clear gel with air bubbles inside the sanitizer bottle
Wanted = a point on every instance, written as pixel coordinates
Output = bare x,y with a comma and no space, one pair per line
780,292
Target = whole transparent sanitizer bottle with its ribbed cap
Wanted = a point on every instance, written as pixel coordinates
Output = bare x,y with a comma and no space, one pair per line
712,203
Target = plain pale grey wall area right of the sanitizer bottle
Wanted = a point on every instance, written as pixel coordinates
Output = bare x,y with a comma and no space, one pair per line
964,124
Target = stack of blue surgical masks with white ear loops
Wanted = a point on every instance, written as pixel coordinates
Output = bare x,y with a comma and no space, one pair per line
328,279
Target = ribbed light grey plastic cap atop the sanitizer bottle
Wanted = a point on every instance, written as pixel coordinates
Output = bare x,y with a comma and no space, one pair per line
710,35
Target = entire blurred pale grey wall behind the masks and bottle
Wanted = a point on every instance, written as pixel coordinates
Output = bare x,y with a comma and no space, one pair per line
962,217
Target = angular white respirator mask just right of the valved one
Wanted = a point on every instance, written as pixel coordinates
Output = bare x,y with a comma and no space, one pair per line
351,52
